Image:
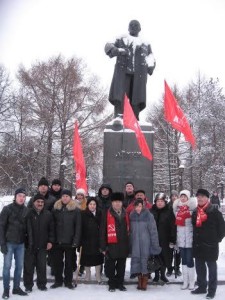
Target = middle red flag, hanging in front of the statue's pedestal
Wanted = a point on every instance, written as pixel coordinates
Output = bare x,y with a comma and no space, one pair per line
130,121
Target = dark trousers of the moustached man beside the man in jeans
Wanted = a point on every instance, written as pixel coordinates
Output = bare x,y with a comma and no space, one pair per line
35,259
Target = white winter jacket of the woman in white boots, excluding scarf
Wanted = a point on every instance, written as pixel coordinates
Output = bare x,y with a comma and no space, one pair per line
185,233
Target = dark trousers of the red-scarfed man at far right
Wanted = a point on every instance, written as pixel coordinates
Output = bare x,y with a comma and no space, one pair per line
201,271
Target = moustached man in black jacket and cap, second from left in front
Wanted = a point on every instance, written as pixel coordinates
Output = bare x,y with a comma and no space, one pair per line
41,225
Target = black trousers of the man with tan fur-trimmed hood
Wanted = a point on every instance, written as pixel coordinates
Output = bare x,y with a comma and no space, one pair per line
63,258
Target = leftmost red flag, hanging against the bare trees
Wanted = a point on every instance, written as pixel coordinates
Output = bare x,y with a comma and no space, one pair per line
80,167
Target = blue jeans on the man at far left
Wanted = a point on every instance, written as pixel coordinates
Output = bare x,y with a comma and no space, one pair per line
16,250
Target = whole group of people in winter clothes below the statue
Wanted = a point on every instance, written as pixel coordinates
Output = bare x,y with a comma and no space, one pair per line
53,228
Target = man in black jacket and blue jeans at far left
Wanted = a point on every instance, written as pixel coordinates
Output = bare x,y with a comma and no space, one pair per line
13,235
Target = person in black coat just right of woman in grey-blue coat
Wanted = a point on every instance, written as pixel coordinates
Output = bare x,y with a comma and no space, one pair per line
165,222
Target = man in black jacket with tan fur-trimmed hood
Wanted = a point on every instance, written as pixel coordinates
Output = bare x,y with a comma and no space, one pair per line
67,218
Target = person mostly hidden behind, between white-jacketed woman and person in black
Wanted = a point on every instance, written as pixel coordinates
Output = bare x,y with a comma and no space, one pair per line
174,253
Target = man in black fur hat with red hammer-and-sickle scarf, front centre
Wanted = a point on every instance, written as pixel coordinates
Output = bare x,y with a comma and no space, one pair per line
114,243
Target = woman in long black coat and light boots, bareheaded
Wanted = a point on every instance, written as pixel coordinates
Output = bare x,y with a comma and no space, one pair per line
90,242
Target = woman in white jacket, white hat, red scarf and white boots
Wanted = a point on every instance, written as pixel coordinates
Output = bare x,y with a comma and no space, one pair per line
183,208
